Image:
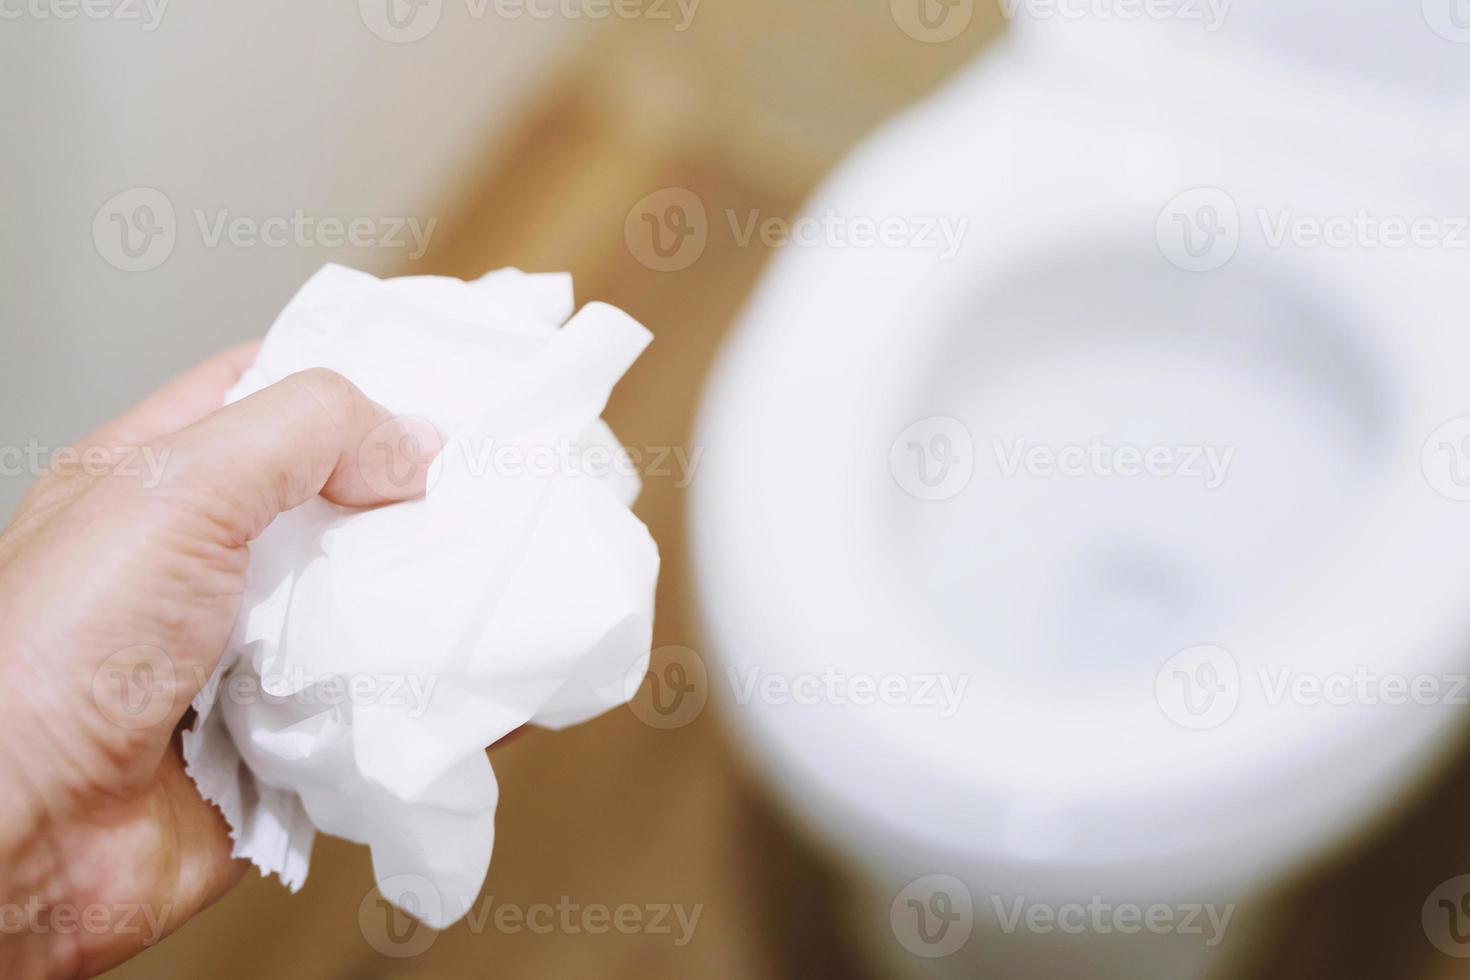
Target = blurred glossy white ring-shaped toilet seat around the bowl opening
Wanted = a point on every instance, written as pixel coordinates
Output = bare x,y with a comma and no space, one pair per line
821,378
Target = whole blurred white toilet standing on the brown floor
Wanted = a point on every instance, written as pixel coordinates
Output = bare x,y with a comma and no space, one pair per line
1125,721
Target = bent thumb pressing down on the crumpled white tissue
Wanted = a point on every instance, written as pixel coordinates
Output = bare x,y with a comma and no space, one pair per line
311,434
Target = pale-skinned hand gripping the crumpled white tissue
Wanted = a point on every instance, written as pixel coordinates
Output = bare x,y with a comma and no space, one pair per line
99,818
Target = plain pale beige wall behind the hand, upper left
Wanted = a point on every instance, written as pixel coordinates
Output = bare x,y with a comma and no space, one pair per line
257,109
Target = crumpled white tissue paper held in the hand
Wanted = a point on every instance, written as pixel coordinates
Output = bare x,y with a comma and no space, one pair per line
380,652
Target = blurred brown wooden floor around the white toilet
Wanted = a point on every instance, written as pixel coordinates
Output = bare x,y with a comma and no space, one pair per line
618,812
